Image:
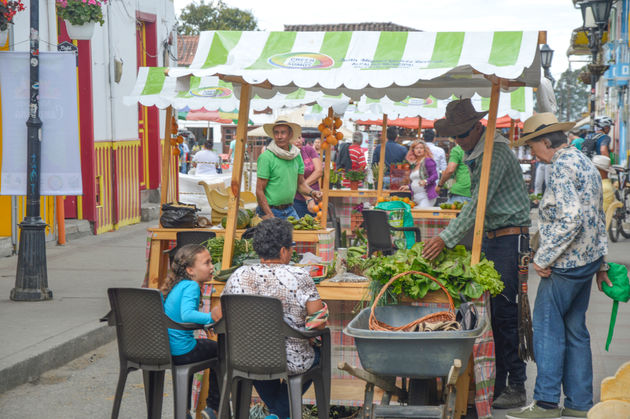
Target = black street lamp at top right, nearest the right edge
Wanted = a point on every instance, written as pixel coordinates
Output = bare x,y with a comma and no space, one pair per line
595,15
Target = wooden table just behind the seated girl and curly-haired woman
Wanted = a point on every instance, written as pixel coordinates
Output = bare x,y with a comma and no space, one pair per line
160,238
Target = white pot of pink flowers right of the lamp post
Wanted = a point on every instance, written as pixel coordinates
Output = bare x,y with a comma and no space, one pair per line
80,16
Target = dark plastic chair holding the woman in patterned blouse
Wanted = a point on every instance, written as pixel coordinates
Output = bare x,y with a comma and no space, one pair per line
255,348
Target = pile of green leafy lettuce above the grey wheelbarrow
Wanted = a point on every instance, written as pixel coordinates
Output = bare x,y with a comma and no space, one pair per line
451,268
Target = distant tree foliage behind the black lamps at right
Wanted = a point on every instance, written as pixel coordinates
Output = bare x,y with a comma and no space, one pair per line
572,96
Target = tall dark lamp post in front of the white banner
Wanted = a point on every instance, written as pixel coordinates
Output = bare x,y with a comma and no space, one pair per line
31,280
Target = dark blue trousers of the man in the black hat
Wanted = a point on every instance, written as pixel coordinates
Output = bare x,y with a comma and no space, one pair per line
510,369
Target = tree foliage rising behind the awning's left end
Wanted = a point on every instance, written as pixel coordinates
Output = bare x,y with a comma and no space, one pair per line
215,15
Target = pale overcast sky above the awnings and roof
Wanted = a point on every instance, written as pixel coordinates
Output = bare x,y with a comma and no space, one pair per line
557,17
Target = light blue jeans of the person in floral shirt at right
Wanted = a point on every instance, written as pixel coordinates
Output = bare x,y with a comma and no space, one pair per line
562,344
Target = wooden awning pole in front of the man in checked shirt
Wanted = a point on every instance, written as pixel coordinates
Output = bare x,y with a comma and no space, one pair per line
485,173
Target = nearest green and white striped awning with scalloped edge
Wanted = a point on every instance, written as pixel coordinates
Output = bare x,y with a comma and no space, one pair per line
377,64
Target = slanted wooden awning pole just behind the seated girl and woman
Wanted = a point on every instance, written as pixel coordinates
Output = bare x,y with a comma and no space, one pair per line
237,174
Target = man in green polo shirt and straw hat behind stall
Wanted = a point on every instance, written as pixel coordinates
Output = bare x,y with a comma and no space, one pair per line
280,172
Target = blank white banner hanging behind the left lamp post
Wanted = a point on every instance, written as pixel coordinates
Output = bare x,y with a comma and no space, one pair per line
60,154
